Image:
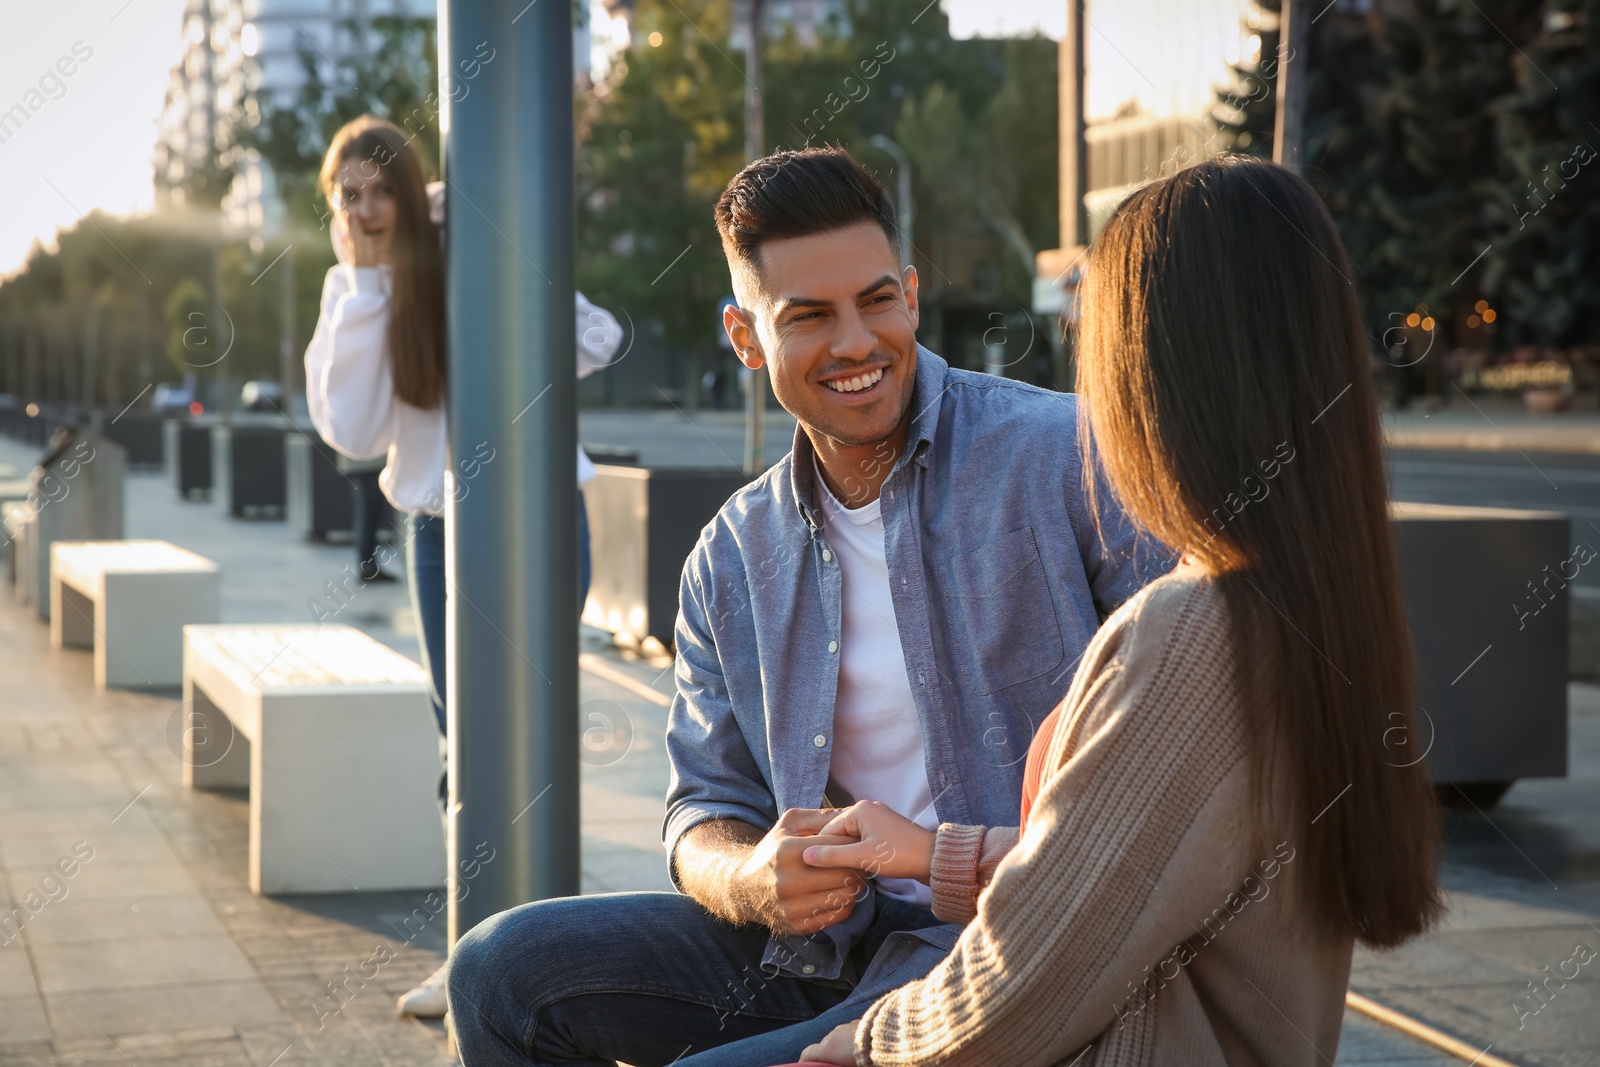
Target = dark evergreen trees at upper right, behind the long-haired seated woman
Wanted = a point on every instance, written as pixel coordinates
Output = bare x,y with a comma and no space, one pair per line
1423,122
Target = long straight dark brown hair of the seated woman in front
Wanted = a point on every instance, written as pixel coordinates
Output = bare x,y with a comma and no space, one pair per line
1231,406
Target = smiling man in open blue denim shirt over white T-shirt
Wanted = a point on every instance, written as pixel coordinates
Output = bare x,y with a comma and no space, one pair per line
886,615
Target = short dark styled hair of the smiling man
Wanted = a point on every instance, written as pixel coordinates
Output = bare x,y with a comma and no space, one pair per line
799,194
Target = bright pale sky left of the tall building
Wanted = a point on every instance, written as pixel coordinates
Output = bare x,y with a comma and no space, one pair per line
90,145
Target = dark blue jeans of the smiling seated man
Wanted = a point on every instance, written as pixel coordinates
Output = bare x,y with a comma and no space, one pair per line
644,978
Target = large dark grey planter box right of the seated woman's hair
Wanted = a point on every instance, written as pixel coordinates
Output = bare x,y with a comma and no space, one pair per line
1490,653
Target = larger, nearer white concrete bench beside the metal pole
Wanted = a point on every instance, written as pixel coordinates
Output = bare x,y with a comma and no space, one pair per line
335,738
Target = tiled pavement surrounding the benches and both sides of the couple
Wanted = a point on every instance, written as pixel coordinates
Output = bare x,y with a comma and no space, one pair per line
156,953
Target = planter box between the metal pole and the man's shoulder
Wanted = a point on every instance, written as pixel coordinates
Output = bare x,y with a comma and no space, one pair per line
644,524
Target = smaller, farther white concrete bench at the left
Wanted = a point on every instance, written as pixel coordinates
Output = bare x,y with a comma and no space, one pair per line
130,601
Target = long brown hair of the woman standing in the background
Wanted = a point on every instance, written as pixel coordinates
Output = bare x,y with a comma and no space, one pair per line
417,310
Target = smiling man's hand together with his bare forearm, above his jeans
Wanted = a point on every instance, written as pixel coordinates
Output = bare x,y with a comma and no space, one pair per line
743,876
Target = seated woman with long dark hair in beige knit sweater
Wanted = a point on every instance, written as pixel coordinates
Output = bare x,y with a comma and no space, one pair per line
1222,807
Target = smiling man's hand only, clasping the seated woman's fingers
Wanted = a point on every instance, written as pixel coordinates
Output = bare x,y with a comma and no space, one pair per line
788,895
